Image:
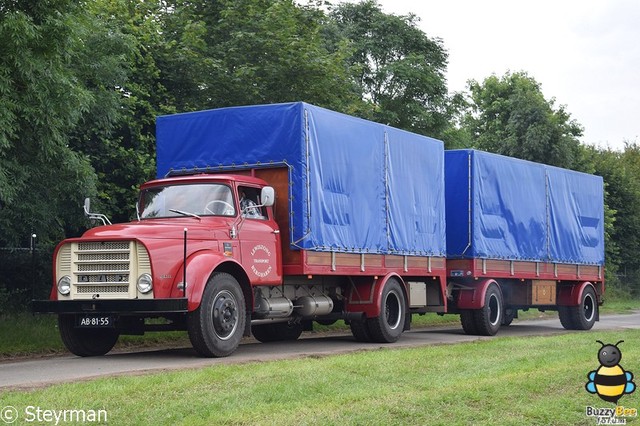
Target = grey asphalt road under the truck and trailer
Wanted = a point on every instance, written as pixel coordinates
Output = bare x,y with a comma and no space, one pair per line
50,370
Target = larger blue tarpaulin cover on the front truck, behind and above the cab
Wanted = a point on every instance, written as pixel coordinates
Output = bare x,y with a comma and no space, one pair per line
356,186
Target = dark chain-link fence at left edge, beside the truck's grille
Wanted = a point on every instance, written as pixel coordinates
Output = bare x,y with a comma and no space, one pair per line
25,274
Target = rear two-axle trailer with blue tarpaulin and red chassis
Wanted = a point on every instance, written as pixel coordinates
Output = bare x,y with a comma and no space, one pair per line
522,235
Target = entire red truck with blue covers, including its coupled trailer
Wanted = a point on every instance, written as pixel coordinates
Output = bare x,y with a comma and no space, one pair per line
265,219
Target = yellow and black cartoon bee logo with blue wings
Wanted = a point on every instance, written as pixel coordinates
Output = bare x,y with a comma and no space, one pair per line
610,381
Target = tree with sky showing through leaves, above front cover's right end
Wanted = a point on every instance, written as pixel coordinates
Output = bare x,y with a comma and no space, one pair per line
398,68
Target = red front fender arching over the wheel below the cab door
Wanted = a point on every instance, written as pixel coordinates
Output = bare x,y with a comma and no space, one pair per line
200,265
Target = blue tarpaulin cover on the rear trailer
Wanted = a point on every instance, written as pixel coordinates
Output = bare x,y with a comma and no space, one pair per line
503,208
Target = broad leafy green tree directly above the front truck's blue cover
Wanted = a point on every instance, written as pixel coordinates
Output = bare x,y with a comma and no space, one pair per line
237,52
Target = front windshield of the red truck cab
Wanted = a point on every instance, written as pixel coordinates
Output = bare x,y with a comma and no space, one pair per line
189,200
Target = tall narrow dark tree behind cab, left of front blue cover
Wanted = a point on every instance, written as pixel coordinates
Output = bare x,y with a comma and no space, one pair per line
121,146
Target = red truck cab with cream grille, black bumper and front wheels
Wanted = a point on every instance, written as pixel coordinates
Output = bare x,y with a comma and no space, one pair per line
114,277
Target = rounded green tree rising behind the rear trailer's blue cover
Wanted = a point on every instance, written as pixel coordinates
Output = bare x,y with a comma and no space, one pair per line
510,116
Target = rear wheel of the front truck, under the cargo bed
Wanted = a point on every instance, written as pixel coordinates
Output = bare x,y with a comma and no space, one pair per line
388,327
